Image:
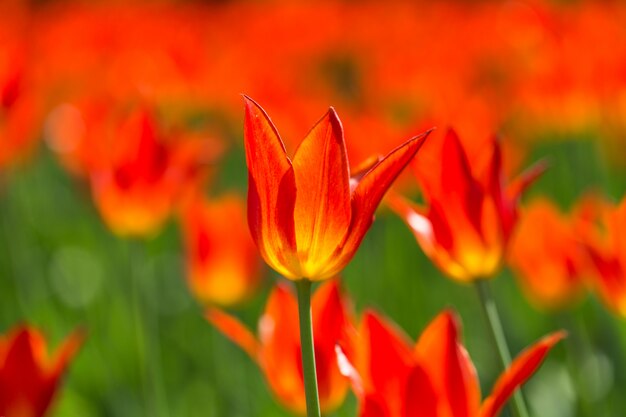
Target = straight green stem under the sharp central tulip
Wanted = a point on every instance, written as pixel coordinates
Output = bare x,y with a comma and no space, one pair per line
307,348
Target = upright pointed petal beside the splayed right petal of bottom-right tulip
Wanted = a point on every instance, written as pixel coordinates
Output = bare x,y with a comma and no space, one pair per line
449,366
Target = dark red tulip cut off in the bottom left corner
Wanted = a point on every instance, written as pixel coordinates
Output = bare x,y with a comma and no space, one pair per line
28,377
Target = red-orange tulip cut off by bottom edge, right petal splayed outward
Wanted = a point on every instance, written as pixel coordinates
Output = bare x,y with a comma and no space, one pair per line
436,378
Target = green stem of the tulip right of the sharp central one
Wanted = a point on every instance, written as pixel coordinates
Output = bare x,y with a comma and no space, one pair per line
494,324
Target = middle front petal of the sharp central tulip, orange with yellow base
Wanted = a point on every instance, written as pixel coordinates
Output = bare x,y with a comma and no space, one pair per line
322,209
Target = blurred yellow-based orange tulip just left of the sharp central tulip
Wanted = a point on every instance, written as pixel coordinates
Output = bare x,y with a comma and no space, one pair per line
223,265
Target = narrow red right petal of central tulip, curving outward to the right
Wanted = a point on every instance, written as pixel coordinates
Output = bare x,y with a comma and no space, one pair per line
370,191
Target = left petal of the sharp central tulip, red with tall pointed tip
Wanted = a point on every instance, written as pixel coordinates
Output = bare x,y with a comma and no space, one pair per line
271,192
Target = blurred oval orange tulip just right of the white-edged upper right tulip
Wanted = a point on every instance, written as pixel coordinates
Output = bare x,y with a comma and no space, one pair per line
545,252
